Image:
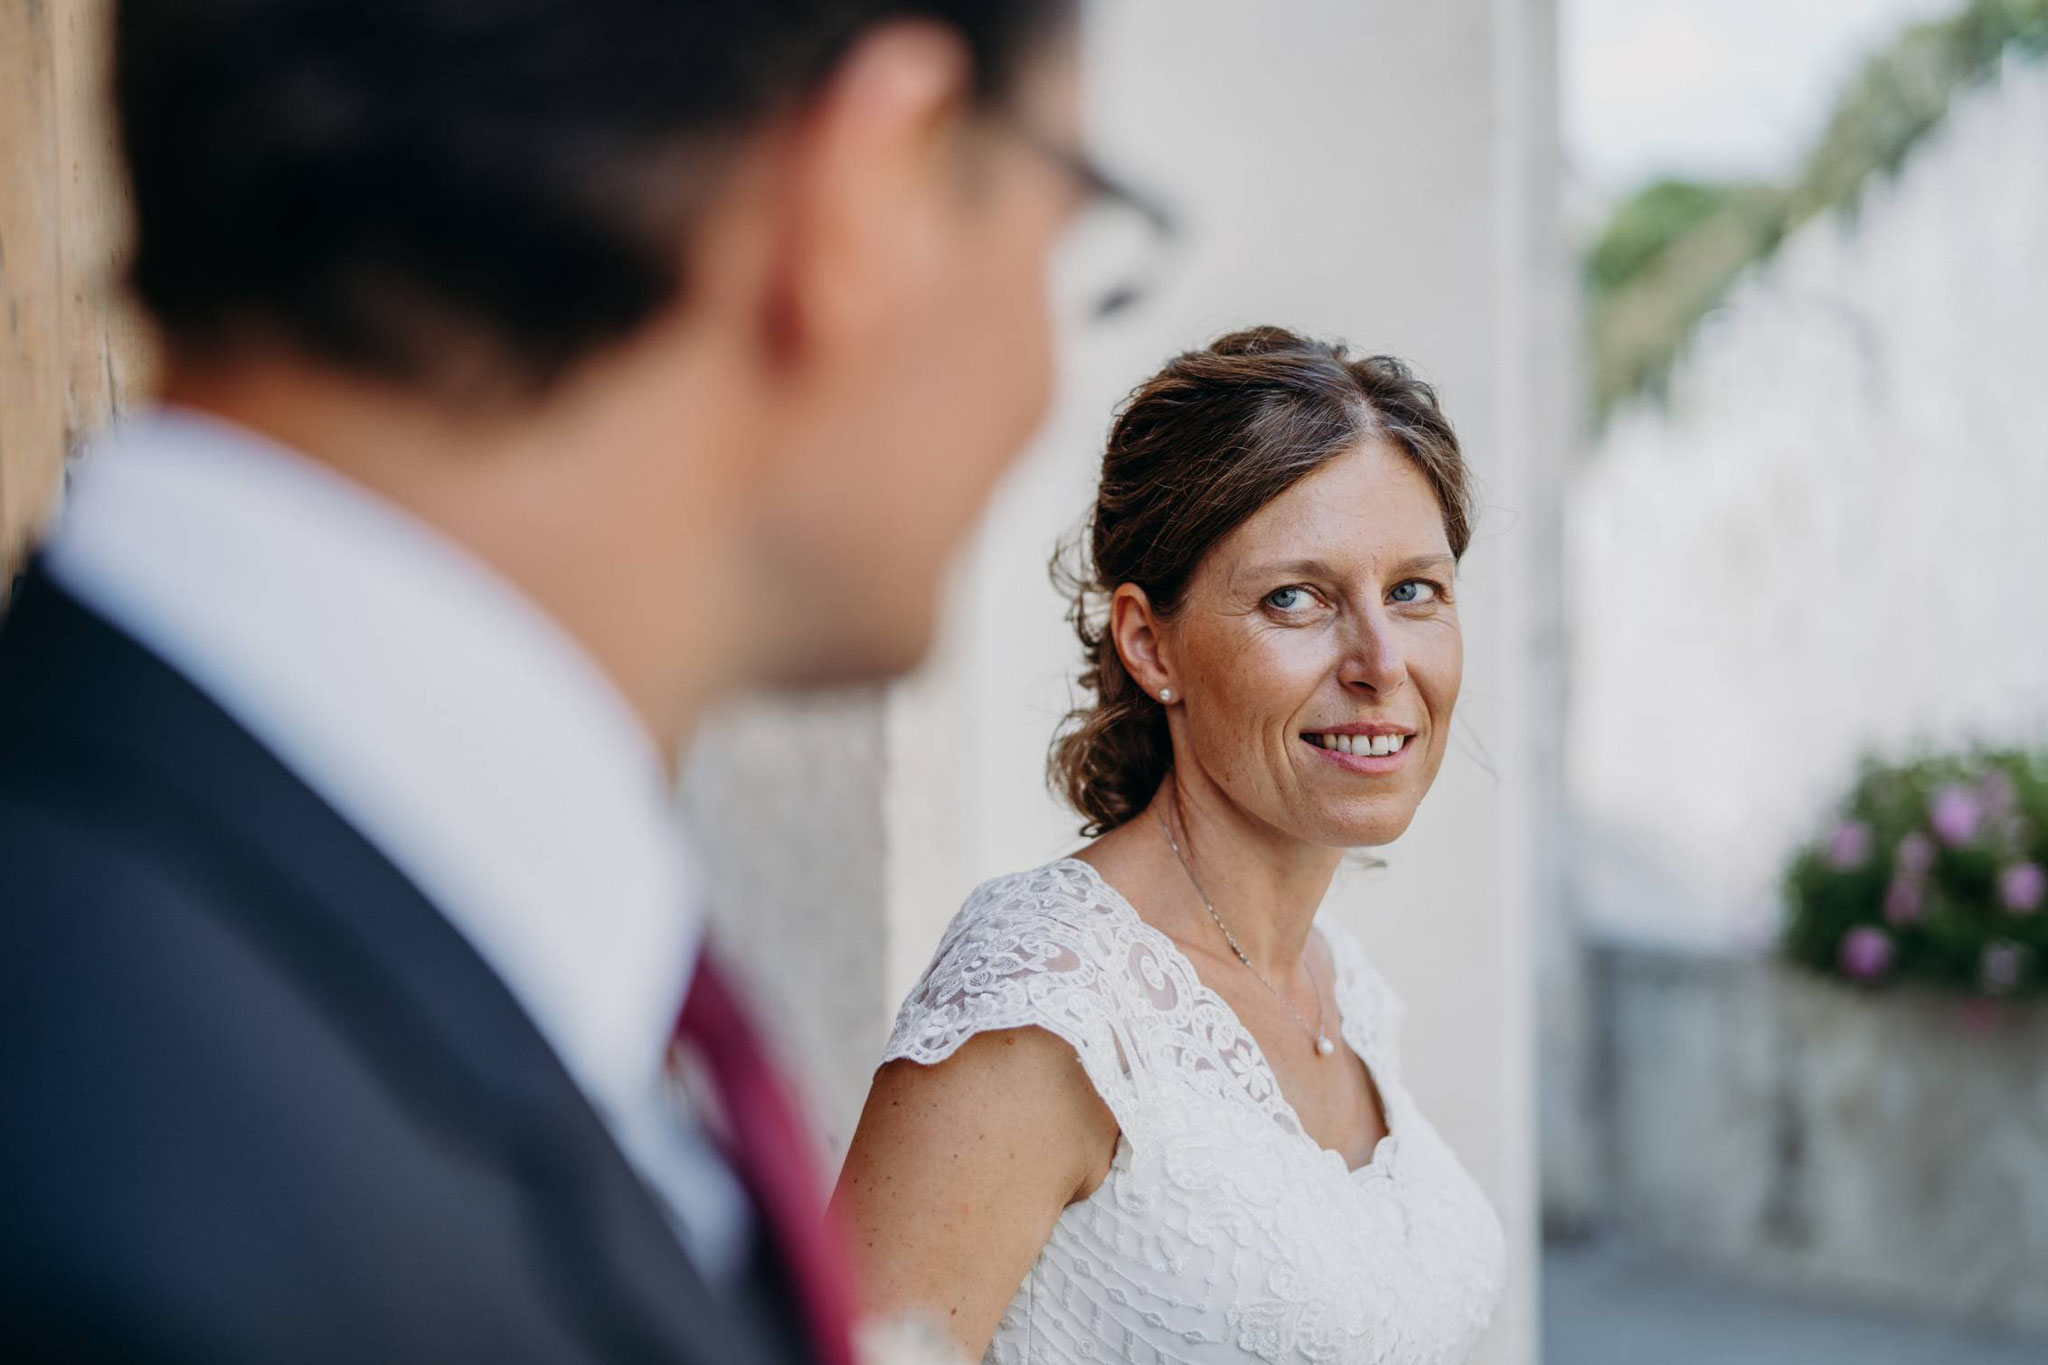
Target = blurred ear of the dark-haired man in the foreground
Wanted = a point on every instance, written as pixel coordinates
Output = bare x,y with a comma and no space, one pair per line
869,175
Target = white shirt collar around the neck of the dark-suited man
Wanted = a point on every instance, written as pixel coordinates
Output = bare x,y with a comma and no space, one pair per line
427,701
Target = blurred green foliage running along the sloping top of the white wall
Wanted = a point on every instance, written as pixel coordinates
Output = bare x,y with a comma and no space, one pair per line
1672,253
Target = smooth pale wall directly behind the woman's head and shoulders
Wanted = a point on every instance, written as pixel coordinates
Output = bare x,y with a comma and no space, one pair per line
1363,169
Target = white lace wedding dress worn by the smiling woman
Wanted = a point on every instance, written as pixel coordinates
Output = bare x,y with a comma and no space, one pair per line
1224,1231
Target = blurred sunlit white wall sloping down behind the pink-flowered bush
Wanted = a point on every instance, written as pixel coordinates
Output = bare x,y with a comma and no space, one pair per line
1828,541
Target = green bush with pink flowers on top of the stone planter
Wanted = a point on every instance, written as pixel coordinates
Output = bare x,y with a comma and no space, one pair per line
1934,871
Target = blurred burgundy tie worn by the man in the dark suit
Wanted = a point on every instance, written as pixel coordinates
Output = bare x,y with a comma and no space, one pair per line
771,1153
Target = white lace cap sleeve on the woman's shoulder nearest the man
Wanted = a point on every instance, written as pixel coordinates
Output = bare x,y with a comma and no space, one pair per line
1025,955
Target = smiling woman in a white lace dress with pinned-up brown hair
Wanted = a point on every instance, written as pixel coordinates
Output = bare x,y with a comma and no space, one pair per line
1146,1104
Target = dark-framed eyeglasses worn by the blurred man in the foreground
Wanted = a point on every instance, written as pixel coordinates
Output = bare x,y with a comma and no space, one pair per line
1117,247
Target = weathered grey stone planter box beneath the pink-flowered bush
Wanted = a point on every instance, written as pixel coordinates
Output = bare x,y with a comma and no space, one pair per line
1885,1147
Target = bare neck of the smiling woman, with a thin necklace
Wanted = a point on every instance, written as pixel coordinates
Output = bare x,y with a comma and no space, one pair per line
1265,887
